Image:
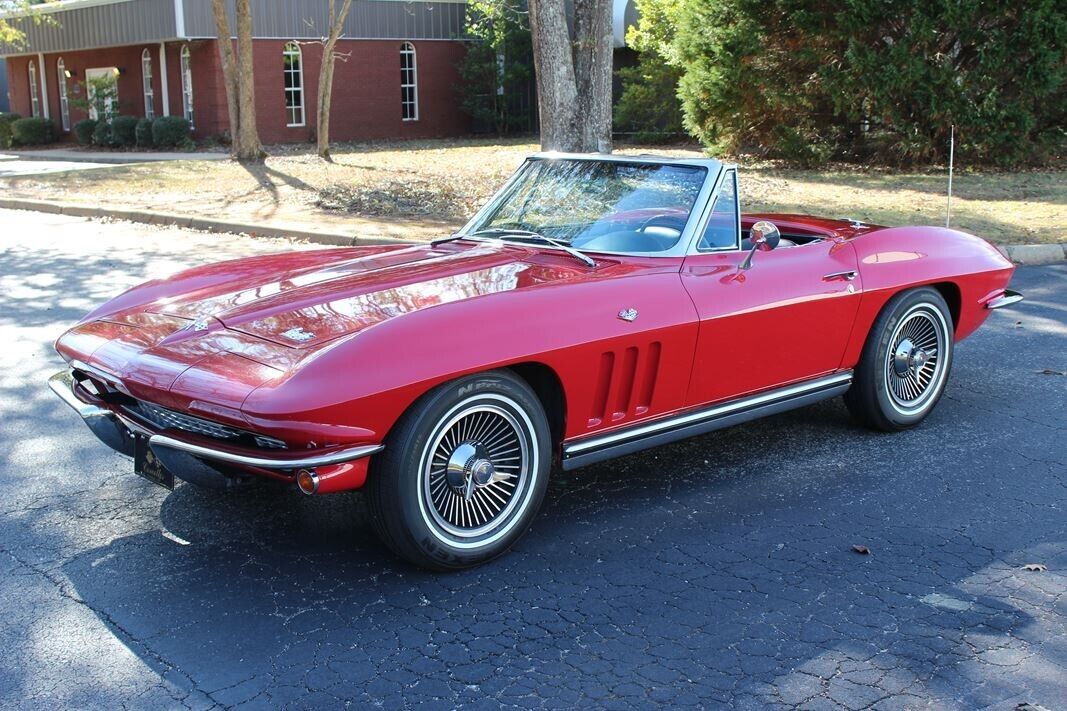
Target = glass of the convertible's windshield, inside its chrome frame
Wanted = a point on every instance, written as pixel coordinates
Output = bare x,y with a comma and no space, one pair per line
597,206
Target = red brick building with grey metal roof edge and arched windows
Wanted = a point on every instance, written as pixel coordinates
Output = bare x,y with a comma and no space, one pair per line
399,81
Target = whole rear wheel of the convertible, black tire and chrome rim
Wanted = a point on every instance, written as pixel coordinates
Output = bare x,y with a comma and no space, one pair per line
905,364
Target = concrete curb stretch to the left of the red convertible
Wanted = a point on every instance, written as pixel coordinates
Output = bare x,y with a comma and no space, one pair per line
151,217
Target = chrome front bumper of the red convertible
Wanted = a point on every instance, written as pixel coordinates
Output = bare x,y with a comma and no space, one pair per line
118,433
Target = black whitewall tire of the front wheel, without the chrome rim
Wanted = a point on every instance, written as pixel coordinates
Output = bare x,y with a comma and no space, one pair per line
402,472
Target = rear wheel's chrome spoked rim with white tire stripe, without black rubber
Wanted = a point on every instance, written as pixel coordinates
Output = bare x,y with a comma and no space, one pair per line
915,360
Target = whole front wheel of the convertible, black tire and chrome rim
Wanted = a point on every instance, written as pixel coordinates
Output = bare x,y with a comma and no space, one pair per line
464,473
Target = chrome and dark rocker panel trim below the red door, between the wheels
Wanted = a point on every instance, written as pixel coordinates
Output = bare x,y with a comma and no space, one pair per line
690,424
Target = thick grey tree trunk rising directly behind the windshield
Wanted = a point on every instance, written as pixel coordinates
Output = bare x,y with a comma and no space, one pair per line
574,74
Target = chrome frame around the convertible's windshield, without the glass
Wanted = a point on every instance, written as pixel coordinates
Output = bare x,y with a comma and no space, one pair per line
681,248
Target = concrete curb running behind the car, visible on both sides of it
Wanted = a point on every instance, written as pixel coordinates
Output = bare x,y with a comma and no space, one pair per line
1023,255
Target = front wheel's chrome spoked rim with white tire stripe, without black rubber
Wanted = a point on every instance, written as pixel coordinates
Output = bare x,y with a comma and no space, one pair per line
476,470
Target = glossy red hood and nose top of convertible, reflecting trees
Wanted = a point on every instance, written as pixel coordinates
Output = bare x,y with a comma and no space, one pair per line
229,328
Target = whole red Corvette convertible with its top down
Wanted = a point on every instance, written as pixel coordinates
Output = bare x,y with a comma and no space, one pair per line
596,307
